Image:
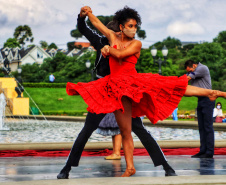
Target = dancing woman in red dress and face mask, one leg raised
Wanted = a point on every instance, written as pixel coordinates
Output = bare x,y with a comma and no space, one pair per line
126,92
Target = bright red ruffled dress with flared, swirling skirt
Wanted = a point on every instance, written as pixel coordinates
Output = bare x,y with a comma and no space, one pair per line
152,95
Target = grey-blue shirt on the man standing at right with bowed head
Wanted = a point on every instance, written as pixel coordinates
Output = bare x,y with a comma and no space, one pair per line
201,77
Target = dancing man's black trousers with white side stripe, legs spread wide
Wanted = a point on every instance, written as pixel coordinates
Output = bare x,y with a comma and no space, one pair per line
91,124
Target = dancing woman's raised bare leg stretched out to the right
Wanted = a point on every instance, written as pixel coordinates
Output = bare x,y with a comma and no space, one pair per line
197,91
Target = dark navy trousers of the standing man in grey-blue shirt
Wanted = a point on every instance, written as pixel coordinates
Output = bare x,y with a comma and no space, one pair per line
205,122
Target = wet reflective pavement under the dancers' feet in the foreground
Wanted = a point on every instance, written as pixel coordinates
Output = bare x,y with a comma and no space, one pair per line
93,170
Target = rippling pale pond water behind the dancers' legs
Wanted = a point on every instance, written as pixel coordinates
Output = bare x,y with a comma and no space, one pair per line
65,131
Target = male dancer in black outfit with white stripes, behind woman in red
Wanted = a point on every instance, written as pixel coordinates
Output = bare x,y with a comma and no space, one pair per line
93,120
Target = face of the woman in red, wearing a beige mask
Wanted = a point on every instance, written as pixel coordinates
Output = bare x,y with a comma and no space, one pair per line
129,28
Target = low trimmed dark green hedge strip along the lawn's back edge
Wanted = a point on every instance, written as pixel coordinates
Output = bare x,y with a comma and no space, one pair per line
45,85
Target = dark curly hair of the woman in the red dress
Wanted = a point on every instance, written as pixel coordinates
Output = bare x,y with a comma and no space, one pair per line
122,16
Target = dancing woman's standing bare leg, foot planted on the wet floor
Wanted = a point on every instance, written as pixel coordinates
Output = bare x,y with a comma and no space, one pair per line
124,121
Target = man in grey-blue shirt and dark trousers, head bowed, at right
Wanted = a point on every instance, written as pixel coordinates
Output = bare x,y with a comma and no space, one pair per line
199,76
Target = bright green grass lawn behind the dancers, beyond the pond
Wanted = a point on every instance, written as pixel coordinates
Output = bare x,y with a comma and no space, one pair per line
47,99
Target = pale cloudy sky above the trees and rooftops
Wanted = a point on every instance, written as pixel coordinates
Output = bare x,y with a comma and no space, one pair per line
53,20
